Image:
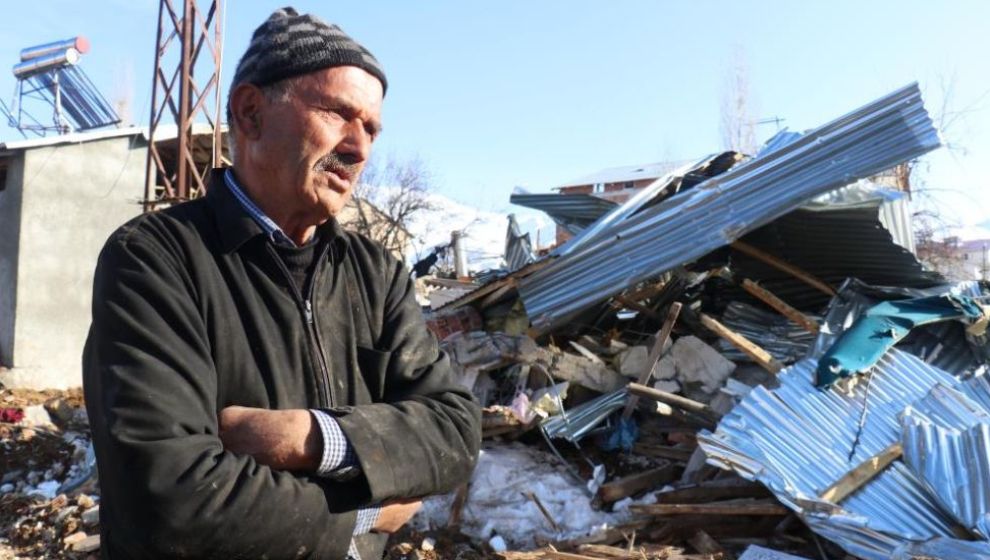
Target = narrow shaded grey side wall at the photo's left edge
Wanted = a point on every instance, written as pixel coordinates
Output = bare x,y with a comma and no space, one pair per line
10,227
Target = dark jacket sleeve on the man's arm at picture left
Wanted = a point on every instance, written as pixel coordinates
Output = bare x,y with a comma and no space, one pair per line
169,488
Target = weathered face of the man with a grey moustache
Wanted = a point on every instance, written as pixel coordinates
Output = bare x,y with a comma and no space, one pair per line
316,143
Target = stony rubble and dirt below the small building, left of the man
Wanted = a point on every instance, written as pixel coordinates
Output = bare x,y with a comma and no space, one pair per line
49,502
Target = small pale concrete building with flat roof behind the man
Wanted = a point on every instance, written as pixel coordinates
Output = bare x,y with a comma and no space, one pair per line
60,198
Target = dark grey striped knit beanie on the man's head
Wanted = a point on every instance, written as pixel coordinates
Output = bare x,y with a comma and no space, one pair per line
289,44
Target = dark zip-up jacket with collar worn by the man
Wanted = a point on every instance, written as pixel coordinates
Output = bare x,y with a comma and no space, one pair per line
192,312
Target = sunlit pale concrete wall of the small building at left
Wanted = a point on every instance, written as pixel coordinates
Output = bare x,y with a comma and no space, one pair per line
74,196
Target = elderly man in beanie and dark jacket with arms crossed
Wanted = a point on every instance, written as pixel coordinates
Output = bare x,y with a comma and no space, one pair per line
260,383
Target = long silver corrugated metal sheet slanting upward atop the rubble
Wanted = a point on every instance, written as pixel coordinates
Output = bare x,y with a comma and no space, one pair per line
693,223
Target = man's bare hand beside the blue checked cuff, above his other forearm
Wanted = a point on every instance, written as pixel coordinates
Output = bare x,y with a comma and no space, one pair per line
282,439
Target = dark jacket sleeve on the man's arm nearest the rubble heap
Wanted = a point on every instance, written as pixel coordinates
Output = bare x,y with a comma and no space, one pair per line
424,438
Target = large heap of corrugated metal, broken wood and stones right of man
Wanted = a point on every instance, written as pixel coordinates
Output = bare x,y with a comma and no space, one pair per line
744,360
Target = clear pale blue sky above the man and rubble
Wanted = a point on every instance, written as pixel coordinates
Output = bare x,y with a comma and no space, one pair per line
499,94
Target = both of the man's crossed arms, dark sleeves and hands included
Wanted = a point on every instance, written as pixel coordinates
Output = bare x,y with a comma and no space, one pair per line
181,478
